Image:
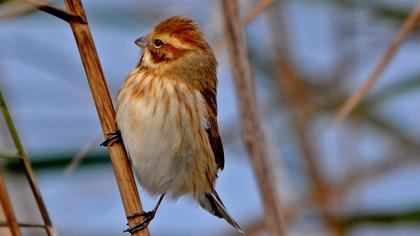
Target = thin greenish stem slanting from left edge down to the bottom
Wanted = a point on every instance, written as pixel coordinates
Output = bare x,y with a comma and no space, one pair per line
27,166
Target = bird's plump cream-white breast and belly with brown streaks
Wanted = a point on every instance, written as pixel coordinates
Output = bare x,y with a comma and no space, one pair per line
165,136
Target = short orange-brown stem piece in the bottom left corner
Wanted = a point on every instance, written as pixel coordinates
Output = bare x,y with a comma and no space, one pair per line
8,208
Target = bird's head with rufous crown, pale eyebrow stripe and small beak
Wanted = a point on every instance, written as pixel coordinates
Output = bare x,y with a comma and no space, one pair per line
173,40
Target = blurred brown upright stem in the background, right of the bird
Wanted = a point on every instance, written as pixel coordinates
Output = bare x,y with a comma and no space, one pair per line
295,97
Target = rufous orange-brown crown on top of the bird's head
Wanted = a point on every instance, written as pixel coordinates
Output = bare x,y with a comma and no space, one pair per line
184,29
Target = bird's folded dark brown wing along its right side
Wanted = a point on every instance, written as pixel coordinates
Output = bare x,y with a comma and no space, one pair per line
213,129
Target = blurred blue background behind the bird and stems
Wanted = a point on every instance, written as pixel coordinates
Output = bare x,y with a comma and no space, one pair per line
369,162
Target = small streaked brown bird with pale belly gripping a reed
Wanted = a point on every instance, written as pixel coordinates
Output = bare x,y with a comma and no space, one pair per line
167,116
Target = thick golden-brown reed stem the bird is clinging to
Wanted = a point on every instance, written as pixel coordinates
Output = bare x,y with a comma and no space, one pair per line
106,113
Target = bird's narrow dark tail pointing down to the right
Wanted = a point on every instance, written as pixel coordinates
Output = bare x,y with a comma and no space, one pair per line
212,203
